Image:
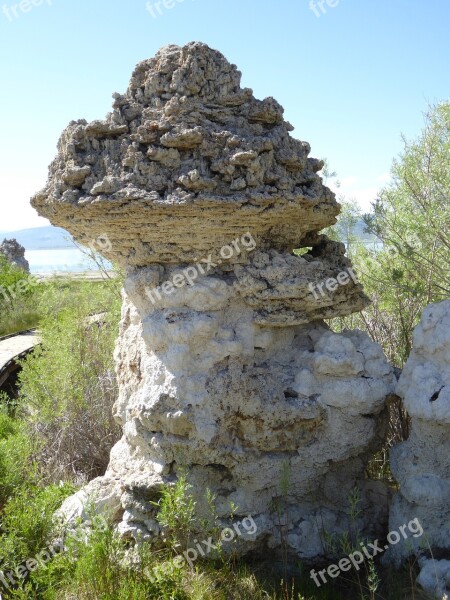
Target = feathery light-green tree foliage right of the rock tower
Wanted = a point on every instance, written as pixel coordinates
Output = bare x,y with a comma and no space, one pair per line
411,218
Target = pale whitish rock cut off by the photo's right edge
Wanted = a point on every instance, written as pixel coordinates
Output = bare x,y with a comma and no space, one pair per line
421,464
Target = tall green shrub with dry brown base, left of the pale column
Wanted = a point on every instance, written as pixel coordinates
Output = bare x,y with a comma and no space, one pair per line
68,385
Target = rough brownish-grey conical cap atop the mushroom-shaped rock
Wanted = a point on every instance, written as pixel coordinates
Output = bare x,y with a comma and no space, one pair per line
183,160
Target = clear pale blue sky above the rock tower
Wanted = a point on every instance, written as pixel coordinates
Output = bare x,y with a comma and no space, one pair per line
351,80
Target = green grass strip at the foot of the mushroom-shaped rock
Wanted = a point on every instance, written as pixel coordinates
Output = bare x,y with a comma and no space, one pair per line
102,570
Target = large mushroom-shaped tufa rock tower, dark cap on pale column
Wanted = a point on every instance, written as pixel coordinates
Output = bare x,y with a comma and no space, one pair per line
235,378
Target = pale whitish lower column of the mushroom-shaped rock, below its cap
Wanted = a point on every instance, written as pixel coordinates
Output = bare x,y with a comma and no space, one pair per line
202,385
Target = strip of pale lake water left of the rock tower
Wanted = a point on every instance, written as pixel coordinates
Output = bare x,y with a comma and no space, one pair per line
67,260
